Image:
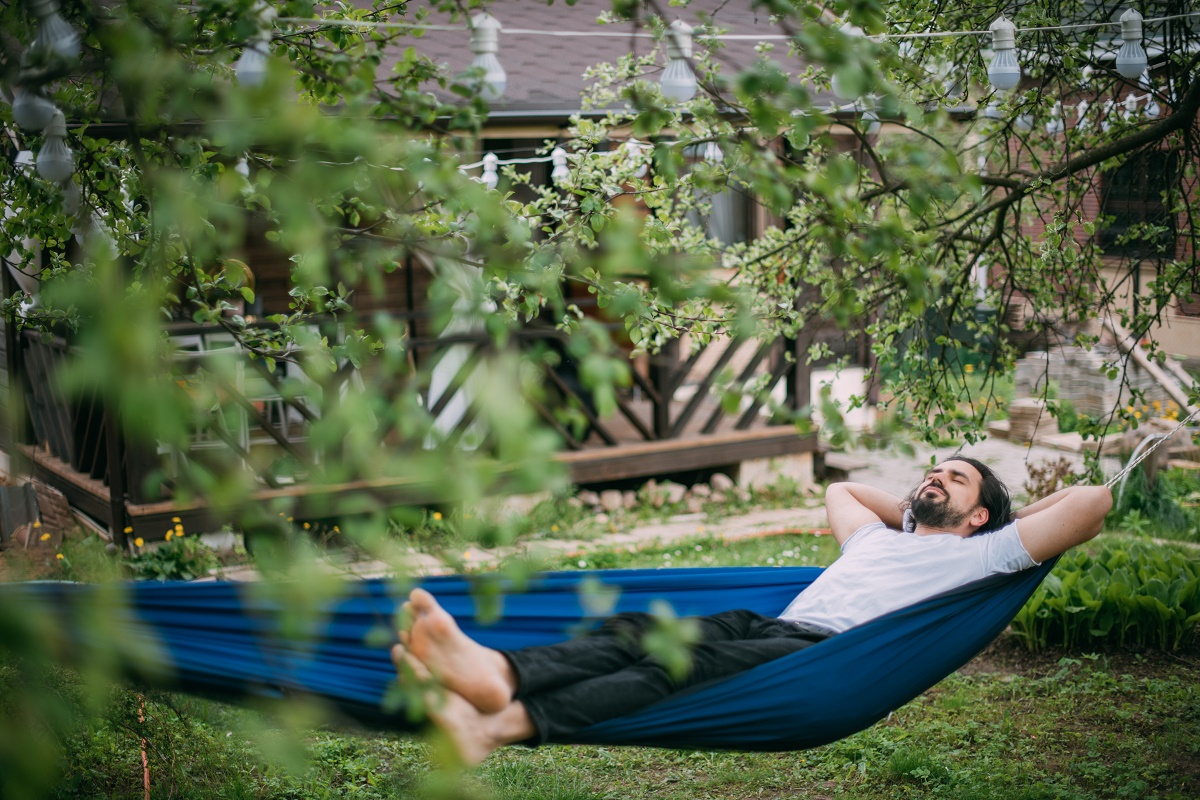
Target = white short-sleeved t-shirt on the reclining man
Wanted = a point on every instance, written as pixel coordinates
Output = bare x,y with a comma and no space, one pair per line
881,572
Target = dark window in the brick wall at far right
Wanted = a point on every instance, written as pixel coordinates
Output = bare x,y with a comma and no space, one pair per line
1133,196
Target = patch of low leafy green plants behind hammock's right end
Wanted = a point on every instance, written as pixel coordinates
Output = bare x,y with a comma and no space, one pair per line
1129,596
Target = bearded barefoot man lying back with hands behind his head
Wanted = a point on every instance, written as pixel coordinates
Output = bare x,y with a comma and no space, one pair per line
962,530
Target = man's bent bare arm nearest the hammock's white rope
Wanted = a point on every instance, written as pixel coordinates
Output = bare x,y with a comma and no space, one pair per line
1069,518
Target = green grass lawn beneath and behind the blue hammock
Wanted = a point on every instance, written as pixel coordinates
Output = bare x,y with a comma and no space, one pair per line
1009,726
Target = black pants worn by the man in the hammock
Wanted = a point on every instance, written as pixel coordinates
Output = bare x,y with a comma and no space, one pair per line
608,675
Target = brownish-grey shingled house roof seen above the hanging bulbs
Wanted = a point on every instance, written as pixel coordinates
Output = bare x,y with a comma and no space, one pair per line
545,74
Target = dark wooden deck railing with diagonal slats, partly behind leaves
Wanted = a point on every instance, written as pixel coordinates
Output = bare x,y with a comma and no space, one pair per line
262,422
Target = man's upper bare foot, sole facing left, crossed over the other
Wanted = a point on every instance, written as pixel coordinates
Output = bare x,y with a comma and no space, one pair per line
482,676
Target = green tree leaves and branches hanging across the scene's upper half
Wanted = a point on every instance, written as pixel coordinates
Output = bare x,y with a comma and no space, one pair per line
352,172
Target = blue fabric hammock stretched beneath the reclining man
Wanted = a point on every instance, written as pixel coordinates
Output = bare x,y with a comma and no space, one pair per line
224,639
